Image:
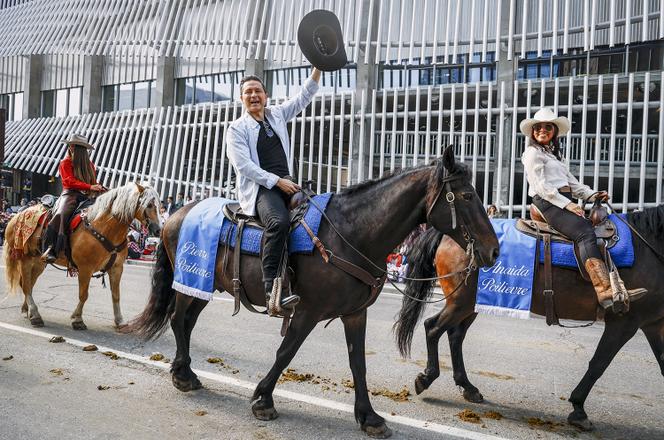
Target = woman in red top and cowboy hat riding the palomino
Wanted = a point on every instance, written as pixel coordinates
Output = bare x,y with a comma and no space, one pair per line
78,182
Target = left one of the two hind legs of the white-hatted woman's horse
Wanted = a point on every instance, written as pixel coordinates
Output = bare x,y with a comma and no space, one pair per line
434,328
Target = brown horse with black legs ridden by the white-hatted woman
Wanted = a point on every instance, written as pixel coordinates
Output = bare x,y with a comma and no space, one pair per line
575,299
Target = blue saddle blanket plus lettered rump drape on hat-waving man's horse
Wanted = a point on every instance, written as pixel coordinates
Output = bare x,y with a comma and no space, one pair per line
205,227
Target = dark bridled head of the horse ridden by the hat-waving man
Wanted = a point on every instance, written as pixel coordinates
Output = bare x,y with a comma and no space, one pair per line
454,208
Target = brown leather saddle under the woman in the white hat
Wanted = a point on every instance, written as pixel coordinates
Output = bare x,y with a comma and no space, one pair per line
605,231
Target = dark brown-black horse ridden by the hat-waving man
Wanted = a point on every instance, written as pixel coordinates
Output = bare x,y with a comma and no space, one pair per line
374,217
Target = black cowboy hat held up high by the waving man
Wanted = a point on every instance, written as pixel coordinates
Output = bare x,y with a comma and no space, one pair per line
321,42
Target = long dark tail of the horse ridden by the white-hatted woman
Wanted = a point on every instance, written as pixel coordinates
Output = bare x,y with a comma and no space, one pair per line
420,265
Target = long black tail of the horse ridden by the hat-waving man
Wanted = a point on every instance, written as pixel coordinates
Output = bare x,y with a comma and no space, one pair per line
151,323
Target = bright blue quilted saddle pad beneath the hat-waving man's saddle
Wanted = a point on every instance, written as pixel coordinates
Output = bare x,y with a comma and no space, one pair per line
299,241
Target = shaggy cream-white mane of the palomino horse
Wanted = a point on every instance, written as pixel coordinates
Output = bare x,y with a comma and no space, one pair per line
122,202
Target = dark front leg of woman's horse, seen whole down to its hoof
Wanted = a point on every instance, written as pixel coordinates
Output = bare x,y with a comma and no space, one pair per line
616,334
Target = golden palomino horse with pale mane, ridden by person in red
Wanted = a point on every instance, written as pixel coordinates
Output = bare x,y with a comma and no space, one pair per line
110,216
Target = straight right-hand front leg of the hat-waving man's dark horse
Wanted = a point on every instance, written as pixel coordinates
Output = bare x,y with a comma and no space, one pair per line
355,327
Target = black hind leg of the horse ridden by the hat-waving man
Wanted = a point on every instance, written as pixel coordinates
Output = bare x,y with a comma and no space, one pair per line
180,370
